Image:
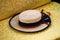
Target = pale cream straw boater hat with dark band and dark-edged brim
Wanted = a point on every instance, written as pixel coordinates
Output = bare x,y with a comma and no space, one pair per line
23,21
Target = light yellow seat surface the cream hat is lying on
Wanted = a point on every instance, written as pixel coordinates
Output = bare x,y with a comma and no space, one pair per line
53,32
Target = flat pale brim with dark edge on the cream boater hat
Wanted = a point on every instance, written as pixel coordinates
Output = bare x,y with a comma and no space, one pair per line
14,23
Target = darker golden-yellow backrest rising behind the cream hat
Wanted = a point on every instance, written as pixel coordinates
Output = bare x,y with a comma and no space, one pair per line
10,7
